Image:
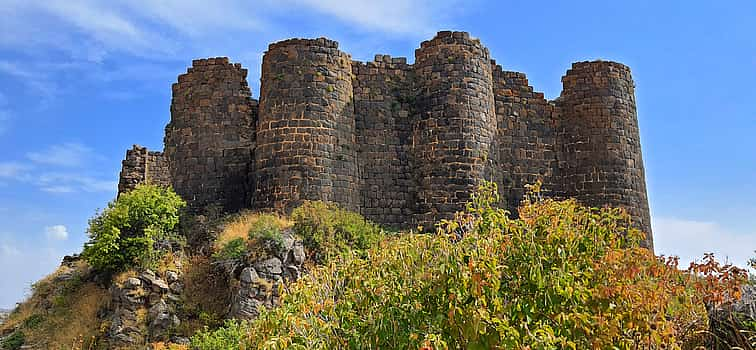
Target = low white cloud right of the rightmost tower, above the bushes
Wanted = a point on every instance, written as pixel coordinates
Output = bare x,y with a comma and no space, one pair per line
690,239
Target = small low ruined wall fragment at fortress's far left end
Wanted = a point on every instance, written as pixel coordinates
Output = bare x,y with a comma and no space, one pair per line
142,166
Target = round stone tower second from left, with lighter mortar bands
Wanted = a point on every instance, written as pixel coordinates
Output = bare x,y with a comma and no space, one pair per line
305,134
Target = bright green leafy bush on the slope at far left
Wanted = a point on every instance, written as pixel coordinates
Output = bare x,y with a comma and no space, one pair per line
123,235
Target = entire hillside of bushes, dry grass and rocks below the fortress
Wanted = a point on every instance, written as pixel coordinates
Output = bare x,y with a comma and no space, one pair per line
561,276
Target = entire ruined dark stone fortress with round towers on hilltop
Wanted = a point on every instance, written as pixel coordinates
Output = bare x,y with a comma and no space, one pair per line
402,144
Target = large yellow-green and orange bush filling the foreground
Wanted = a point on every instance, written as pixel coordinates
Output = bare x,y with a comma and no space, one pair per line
562,276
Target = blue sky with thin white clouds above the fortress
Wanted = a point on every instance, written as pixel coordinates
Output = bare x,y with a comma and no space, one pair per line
81,81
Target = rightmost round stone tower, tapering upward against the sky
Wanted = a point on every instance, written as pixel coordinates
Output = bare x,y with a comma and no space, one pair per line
600,156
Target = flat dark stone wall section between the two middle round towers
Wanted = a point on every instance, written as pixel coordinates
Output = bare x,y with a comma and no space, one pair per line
383,103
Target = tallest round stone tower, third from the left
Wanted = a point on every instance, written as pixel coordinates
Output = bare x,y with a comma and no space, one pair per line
454,122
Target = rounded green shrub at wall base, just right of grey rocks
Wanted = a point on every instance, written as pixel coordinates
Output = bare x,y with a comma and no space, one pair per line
329,231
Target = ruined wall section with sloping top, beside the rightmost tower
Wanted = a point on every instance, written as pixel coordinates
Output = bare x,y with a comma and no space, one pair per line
525,139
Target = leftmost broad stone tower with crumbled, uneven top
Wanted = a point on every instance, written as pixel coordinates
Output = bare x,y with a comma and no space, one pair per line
210,138
